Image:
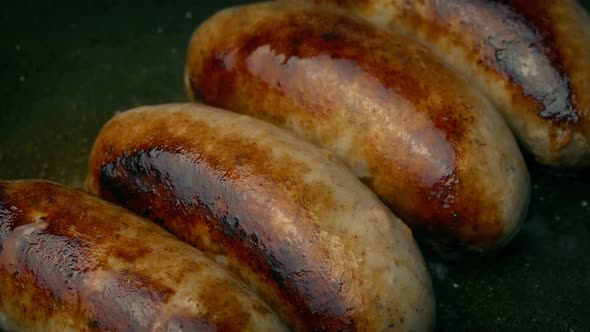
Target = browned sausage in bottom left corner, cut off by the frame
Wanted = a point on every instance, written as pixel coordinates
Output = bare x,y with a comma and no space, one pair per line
72,262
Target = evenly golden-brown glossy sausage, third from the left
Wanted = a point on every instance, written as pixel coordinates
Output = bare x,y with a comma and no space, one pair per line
430,146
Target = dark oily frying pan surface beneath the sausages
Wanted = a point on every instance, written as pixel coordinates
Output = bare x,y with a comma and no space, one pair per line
67,68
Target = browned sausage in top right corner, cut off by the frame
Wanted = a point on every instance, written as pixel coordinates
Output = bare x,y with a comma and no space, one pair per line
530,57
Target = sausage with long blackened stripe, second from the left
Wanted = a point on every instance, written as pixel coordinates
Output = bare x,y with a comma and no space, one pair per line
284,215
